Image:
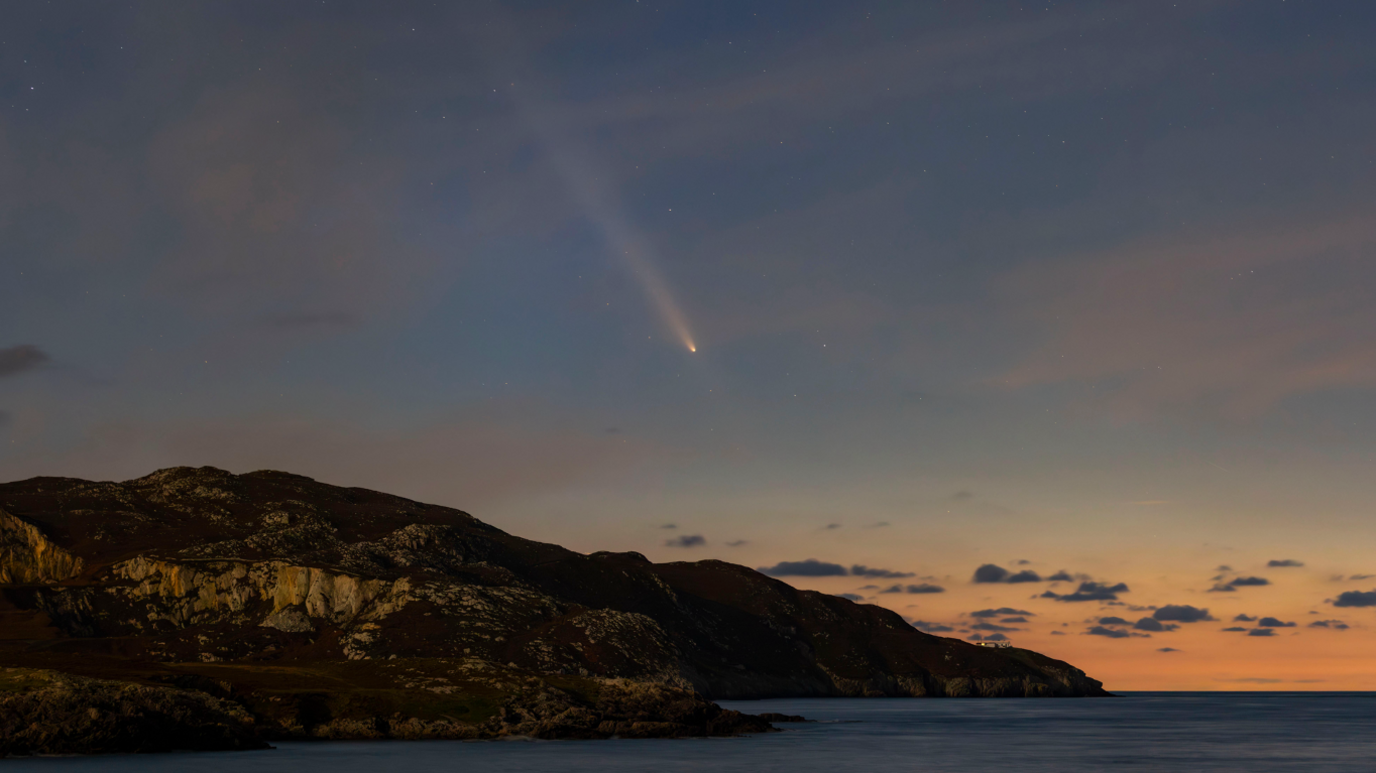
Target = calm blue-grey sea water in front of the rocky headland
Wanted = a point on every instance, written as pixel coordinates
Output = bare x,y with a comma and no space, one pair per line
1179,732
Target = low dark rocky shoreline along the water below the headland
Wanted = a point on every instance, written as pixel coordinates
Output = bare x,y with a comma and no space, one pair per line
50,713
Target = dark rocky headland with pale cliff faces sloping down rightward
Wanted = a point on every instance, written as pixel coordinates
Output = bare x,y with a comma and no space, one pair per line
186,570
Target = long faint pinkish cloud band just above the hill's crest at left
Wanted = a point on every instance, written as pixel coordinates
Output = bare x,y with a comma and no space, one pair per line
469,460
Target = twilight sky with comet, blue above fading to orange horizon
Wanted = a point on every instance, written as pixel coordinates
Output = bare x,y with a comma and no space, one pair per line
979,292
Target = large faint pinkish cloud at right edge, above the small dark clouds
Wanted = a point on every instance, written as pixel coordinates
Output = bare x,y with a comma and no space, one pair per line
1166,327
